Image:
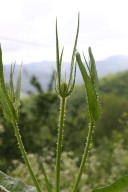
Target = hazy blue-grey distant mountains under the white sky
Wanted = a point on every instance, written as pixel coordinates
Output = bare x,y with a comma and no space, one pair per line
43,70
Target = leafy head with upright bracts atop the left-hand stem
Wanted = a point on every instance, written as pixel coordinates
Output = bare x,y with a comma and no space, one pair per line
9,98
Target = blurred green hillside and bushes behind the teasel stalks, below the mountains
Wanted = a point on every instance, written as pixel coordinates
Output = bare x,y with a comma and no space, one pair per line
38,127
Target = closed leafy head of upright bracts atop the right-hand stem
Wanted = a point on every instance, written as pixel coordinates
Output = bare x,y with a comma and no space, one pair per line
91,86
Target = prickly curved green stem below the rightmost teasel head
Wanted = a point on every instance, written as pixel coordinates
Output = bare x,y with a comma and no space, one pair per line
84,158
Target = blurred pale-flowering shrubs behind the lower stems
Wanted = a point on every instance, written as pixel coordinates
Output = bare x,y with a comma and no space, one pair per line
105,164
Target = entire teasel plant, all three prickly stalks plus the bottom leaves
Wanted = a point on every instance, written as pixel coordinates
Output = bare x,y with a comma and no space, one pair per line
10,103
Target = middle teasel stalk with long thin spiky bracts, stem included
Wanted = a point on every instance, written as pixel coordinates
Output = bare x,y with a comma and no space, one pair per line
63,89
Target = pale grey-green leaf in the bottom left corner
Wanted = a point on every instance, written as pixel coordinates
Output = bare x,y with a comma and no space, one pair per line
8,184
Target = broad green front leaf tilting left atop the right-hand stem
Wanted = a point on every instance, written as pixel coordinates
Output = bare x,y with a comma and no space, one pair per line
92,100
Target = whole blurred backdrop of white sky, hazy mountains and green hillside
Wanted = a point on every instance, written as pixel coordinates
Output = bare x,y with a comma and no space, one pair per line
28,35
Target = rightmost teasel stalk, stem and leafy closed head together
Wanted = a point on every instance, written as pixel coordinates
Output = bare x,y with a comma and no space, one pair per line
90,77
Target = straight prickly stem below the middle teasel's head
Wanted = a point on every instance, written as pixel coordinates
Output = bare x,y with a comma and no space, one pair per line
59,142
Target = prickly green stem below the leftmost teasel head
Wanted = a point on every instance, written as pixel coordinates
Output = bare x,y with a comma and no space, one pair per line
23,152
